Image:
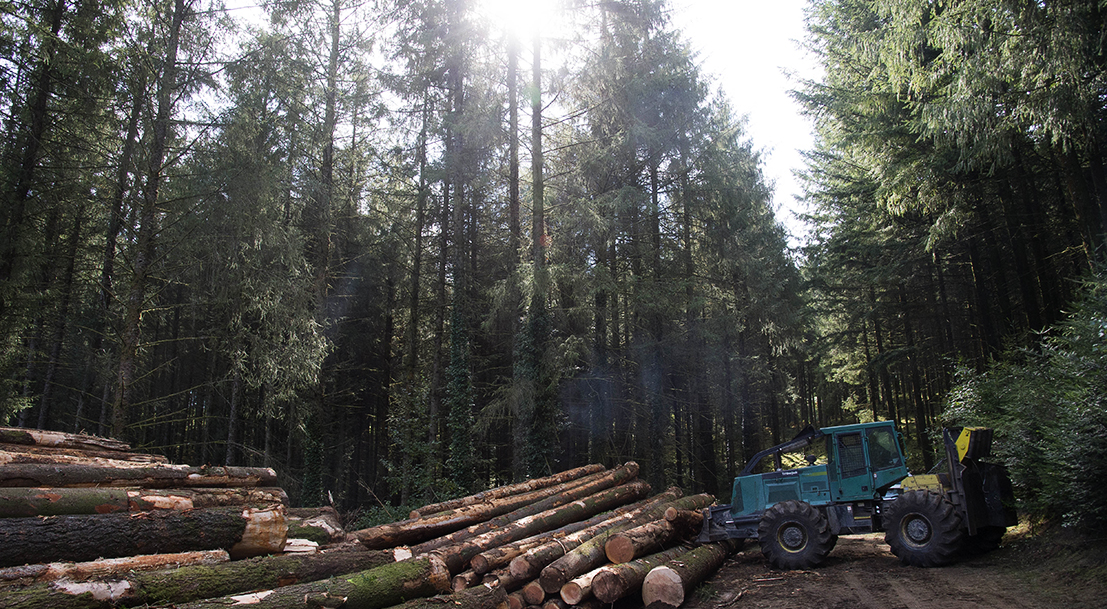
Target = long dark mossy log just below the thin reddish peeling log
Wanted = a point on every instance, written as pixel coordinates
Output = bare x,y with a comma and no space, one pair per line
195,583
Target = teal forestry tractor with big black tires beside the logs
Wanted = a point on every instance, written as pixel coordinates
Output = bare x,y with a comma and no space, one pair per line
863,487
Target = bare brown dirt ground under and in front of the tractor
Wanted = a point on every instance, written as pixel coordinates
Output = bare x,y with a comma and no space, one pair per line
1047,571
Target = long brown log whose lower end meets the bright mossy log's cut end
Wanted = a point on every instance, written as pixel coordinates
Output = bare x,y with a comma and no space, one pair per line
458,556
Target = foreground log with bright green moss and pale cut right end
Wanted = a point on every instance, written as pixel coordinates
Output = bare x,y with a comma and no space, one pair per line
377,589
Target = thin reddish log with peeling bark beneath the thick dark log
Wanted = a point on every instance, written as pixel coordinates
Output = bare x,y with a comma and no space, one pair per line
80,572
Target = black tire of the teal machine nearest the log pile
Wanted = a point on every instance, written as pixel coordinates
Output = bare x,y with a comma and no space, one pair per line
794,535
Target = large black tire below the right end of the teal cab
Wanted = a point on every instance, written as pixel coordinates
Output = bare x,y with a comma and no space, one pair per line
924,530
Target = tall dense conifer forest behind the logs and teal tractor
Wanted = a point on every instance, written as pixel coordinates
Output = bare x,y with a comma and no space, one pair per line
400,252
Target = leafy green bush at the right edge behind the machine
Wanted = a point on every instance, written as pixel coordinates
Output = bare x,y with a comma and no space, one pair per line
1050,412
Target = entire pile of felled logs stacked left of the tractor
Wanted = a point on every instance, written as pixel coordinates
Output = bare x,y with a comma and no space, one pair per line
583,538
